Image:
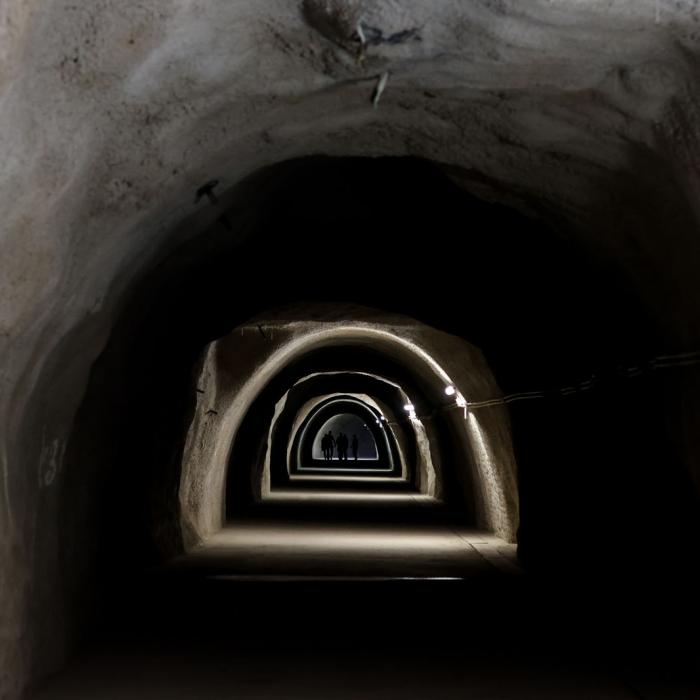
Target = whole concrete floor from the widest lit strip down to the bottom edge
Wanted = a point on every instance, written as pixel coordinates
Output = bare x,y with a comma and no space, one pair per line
279,610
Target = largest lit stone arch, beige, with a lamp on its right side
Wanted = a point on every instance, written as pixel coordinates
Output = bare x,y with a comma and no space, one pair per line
244,373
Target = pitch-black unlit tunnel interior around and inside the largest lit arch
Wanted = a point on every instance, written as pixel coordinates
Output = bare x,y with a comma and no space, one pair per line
601,488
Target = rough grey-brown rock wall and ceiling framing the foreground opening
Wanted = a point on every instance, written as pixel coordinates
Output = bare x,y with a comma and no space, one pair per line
113,113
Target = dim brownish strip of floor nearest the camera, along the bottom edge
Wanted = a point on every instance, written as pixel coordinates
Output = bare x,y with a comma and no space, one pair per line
144,673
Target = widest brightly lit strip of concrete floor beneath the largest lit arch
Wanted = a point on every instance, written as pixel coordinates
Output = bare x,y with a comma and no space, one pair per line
287,549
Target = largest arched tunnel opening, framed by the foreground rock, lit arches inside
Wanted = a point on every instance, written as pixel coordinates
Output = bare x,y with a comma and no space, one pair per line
593,486
